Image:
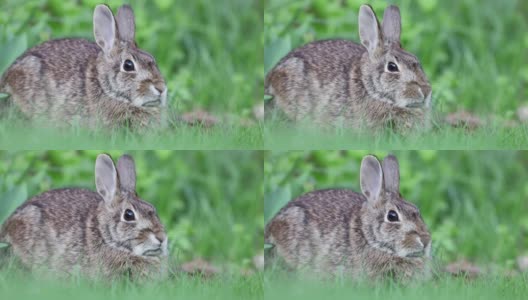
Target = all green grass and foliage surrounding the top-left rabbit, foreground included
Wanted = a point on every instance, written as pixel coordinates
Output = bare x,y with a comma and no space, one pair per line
207,51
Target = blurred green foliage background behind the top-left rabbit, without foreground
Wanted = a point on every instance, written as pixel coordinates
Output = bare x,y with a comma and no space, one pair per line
208,51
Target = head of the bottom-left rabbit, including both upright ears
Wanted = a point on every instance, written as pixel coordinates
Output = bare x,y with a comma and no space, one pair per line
132,224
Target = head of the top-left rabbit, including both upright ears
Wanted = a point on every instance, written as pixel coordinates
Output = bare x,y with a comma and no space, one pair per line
127,73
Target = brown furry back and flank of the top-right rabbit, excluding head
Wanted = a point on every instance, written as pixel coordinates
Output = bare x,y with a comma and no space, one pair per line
316,81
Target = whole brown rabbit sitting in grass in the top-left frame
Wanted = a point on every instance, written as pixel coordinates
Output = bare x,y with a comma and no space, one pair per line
109,83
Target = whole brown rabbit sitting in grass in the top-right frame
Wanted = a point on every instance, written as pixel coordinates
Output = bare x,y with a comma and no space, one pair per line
341,83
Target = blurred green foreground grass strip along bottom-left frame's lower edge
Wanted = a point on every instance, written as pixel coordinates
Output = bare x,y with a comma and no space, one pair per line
14,285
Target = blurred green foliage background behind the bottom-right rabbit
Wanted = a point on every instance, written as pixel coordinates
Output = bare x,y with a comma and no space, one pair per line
474,202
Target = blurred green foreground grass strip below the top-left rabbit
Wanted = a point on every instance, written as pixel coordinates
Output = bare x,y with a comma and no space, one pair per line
221,137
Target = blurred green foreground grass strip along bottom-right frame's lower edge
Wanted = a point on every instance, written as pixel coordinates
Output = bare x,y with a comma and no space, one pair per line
487,287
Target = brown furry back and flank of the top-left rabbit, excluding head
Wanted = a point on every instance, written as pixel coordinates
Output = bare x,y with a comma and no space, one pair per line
50,79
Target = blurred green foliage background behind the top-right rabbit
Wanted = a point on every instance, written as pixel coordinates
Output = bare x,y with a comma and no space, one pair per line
473,51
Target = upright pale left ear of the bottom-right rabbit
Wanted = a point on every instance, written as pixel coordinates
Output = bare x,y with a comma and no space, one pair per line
371,178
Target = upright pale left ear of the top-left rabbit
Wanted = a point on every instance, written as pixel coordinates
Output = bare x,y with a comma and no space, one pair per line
104,27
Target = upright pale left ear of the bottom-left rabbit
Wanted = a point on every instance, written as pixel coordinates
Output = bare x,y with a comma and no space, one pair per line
105,177
